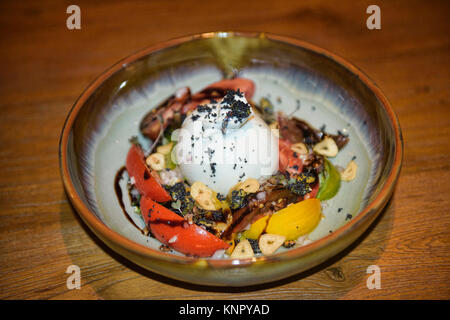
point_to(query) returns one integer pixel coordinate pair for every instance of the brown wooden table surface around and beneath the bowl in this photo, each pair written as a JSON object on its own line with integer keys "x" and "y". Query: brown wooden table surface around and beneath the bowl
{"x": 44, "y": 67}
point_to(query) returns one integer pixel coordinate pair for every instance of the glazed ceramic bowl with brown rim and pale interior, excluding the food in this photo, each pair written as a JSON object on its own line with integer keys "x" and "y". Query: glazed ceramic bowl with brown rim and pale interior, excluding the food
{"x": 289, "y": 72}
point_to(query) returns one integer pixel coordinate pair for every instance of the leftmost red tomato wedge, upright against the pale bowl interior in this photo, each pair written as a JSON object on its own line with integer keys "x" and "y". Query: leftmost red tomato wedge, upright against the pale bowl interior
{"x": 146, "y": 180}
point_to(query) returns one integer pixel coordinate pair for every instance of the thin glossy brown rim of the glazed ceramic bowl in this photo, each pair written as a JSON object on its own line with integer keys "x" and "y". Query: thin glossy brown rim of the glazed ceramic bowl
{"x": 368, "y": 213}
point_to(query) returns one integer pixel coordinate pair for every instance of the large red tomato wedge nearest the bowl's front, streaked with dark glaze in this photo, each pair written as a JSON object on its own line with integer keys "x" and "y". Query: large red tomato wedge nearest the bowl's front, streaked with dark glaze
{"x": 175, "y": 232}
